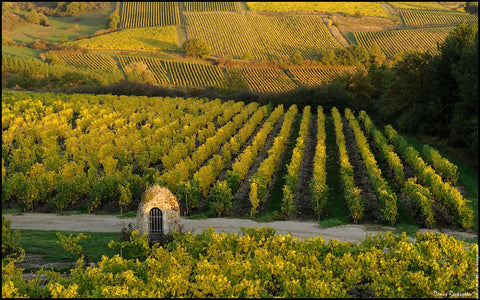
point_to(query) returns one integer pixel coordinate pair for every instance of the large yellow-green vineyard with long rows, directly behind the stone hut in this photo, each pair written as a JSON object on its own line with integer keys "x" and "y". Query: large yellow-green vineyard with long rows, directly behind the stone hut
{"x": 85, "y": 151}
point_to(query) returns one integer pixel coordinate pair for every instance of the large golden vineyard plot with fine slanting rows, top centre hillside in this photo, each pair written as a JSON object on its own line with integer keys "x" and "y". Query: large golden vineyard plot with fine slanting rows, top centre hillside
{"x": 261, "y": 37}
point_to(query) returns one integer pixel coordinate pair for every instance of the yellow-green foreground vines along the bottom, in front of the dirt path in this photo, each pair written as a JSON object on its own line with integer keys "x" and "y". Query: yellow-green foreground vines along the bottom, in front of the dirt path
{"x": 259, "y": 263}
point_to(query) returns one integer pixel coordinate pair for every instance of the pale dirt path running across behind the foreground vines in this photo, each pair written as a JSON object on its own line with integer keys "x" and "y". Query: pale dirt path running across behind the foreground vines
{"x": 109, "y": 223}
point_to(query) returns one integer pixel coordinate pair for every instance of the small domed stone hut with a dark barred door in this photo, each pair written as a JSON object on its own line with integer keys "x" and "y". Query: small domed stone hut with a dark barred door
{"x": 158, "y": 213}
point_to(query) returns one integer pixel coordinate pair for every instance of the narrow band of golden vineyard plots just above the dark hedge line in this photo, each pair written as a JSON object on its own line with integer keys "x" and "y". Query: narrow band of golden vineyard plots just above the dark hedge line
{"x": 178, "y": 73}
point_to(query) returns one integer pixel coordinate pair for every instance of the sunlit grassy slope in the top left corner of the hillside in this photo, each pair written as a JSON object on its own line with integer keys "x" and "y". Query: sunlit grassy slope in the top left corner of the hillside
{"x": 85, "y": 24}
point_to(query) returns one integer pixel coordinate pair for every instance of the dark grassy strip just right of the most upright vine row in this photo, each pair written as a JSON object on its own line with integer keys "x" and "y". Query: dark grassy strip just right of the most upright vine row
{"x": 336, "y": 213}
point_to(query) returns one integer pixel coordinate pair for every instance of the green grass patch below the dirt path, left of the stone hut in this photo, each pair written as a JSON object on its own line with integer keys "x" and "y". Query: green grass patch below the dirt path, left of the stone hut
{"x": 45, "y": 243}
